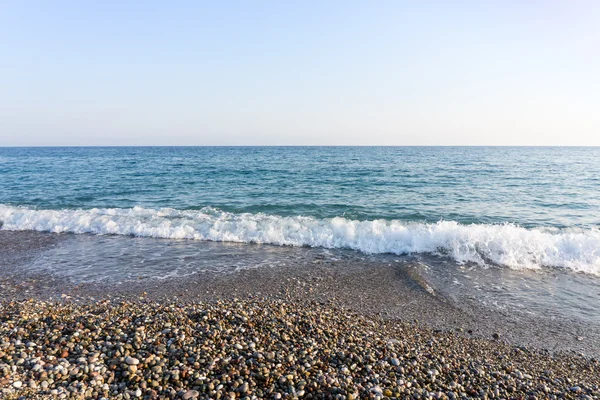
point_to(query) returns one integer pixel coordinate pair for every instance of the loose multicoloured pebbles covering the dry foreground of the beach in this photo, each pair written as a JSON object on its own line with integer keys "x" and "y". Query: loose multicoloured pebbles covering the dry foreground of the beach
{"x": 262, "y": 348}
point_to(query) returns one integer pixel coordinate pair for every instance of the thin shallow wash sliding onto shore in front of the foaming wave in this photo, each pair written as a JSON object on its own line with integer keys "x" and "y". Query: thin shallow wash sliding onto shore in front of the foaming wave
{"x": 120, "y": 260}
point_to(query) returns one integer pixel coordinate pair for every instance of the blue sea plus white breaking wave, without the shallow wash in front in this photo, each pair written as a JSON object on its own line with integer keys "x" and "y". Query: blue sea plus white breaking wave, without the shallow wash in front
{"x": 522, "y": 208}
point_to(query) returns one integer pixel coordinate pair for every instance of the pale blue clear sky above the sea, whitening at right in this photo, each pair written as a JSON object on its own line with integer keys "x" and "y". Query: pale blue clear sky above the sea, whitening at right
{"x": 299, "y": 72}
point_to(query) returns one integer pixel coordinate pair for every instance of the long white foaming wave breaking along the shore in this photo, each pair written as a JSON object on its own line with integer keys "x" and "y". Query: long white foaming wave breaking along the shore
{"x": 501, "y": 244}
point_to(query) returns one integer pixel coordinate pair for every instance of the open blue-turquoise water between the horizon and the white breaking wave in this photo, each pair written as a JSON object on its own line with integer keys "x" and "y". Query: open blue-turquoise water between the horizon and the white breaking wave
{"x": 552, "y": 187}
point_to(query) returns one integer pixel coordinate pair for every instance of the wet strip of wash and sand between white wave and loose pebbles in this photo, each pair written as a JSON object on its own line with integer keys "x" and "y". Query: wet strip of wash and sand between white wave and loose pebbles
{"x": 525, "y": 307}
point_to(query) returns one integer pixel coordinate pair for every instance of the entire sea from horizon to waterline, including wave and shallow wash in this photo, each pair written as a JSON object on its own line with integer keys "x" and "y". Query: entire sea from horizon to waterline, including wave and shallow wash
{"x": 515, "y": 228}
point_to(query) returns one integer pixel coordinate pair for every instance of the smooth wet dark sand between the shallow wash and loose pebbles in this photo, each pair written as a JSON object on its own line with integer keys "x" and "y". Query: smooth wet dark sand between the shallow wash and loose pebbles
{"x": 392, "y": 291}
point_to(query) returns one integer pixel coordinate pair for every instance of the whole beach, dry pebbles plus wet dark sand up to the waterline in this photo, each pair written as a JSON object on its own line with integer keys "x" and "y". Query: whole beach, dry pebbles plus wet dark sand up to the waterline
{"x": 319, "y": 330}
